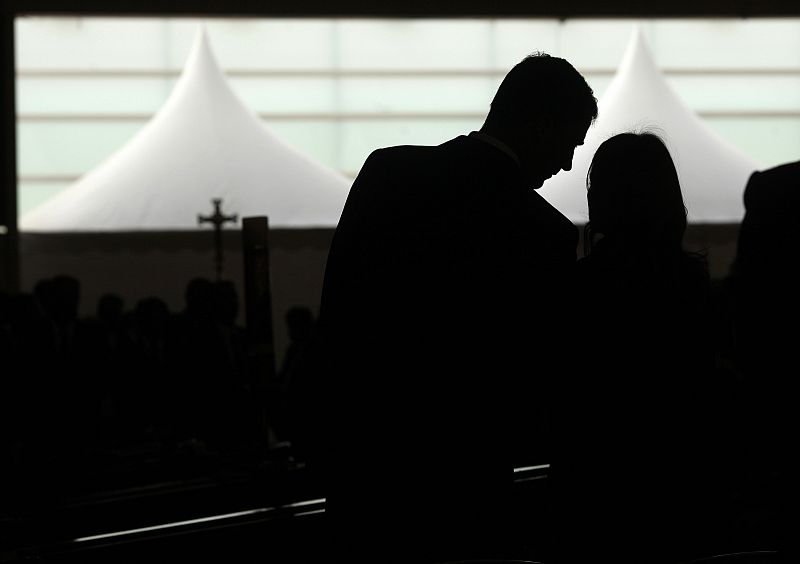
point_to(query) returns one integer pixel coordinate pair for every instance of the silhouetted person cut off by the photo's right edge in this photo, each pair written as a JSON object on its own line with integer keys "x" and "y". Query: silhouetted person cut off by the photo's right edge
{"x": 764, "y": 279}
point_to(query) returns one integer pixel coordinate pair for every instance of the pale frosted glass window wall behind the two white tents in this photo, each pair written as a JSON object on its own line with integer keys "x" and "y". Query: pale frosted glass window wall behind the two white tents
{"x": 337, "y": 89}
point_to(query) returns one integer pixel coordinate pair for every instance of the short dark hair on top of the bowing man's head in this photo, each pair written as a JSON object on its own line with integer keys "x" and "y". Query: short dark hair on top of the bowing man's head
{"x": 542, "y": 87}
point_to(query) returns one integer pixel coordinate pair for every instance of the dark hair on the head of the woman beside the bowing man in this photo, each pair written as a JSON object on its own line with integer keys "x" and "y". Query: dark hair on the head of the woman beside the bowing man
{"x": 634, "y": 194}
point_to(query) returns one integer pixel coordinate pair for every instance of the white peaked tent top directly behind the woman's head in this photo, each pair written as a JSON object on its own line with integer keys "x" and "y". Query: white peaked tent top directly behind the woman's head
{"x": 712, "y": 172}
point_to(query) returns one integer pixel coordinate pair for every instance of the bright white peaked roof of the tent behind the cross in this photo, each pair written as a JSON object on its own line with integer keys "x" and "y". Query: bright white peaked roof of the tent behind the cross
{"x": 204, "y": 143}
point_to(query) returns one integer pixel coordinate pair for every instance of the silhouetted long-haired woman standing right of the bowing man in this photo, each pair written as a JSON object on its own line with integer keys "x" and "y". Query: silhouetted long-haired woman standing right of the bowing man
{"x": 632, "y": 464}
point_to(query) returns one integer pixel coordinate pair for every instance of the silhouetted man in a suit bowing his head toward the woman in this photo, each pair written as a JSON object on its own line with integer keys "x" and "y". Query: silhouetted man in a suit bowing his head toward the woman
{"x": 440, "y": 315}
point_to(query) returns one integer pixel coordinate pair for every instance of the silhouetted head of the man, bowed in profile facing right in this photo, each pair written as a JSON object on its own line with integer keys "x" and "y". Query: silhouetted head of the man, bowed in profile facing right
{"x": 542, "y": 110}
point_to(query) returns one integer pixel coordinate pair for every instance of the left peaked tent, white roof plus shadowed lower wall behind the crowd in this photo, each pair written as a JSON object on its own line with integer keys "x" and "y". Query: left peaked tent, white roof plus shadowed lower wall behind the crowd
{"x": 130, "y": 226}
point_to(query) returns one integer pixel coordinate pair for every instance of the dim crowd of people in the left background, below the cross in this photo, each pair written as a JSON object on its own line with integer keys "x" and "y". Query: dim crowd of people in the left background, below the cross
{"x": 89, "y": 396}
